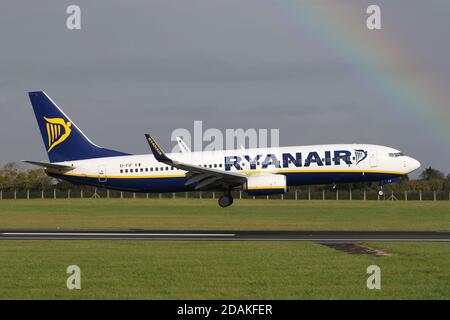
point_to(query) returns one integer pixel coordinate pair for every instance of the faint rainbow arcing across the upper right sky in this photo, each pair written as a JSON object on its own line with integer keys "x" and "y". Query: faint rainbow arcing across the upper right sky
{"x": 342, "y": 27}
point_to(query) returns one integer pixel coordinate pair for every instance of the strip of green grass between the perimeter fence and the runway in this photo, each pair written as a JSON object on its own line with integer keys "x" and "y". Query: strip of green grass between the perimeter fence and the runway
{"x": 243, "y": 215}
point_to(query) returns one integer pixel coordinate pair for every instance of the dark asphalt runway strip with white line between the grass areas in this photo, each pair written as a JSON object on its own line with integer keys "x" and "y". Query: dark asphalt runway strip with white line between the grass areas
{"x": 190, "y": 235}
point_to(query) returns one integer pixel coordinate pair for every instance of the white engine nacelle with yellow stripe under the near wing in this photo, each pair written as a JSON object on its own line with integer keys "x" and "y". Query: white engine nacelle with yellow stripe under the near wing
{"x": 265, "y": 184}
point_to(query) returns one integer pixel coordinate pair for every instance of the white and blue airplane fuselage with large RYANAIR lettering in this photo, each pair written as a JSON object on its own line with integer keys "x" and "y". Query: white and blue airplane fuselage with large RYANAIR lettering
{"x": 302, "y": 165}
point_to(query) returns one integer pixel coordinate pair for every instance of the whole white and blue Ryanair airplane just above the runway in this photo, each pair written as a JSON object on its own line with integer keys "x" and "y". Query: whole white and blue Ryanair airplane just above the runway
{"x": 259, "y": 171}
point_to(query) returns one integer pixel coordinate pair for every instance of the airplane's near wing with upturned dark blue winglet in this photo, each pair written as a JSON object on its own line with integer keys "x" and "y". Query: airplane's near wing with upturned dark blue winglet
{"x": 205, "y": 177}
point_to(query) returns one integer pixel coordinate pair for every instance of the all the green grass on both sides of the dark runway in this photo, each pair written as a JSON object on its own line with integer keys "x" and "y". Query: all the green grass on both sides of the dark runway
{"x": 216, "y": 270}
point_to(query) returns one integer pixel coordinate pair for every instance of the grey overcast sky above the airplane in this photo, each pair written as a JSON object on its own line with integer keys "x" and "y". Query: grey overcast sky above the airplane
{"x": 154, "y": 66}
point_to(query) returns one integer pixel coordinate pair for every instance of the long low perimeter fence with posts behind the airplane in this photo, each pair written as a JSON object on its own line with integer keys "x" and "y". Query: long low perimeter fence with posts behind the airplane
{"x": 369, "y": 194}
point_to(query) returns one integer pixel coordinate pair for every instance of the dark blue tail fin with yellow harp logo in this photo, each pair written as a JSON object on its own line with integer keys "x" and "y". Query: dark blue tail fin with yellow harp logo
{"x": 62, "y": 138}
